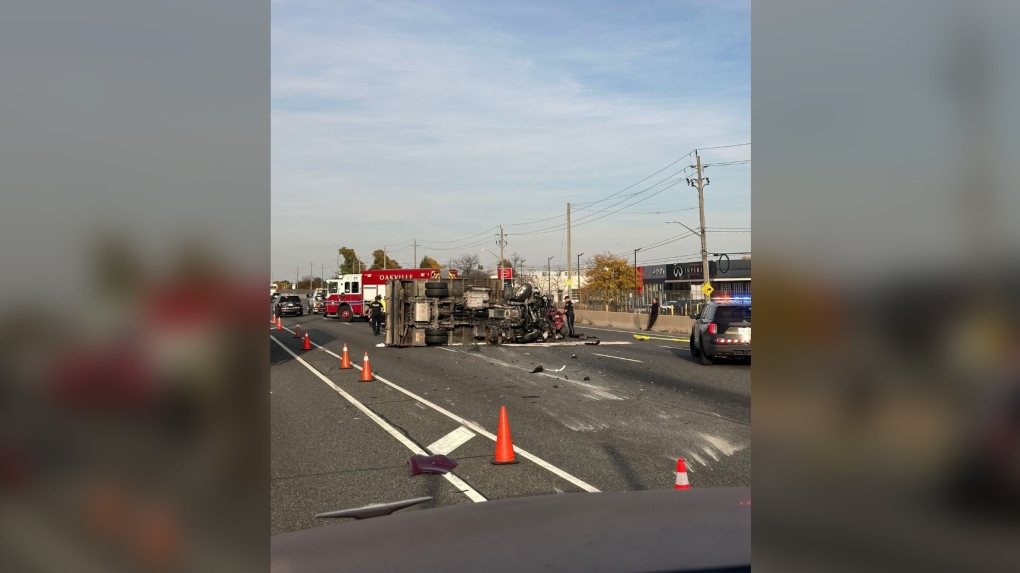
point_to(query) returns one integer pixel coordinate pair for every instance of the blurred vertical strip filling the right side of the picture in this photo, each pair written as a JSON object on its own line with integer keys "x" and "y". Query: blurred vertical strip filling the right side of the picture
{"x": 887, "y": 405}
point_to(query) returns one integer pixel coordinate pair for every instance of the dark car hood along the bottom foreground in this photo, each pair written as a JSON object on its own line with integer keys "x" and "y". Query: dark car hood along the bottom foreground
{"x": 653, "y": 531}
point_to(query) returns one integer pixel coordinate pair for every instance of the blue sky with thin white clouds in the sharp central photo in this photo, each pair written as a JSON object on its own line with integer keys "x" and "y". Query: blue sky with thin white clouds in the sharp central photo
{"x": 438, "y": 122}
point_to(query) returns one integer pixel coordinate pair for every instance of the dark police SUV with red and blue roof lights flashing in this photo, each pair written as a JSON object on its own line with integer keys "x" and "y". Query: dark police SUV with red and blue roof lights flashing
{"x": 722, "y": 331}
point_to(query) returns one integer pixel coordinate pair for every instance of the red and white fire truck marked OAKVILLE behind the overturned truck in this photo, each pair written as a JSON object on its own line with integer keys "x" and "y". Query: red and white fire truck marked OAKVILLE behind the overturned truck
{"x": 348, "y": 297}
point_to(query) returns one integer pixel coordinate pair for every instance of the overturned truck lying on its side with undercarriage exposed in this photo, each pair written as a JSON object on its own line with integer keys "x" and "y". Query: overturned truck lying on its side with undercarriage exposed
{"x": 448, "y": 311}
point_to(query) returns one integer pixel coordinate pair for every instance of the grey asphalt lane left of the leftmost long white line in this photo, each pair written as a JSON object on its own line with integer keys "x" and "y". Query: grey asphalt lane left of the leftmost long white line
{"x": 327, "y": 455}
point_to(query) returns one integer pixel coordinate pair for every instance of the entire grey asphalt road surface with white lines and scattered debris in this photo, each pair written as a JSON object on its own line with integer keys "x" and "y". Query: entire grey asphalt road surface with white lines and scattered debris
{"x": 609, "y": 418}
